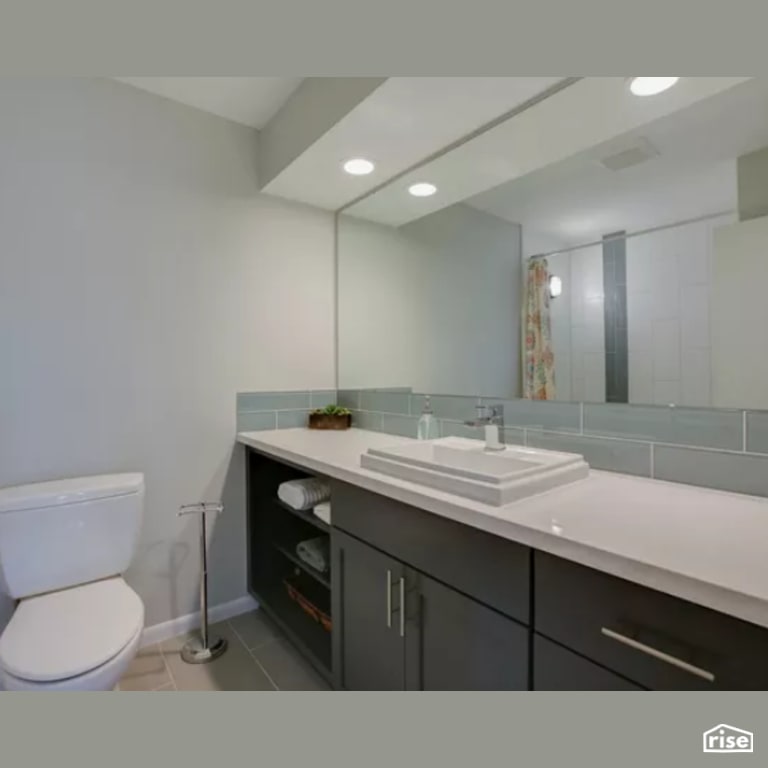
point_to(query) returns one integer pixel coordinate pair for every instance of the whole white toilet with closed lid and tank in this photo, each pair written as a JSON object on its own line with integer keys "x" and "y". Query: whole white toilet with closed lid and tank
{"x": 63, "y": 547}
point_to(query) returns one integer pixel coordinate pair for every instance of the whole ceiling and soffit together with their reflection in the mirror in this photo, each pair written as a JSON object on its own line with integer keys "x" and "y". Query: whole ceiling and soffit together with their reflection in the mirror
{"x": 540, "y": 167}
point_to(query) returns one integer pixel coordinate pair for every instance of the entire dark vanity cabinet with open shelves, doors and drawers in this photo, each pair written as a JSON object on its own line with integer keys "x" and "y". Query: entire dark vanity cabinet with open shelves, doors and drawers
{"x": 418, "y": 601}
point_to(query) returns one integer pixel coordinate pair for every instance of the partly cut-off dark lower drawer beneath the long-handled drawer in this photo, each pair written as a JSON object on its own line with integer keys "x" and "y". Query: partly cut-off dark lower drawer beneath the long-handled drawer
{"x": 557, "y": 669}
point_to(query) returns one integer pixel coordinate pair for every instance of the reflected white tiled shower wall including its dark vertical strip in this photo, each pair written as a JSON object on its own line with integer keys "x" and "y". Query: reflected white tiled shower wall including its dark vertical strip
{"x": 633, "y": 321}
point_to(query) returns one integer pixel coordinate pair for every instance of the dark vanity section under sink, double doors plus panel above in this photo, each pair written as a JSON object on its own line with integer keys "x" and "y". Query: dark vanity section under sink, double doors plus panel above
{"x": 446, "y": 604}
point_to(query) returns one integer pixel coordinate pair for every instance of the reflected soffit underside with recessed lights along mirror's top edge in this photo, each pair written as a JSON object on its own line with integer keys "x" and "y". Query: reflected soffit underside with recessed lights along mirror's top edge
{"x": 585, "y": 115}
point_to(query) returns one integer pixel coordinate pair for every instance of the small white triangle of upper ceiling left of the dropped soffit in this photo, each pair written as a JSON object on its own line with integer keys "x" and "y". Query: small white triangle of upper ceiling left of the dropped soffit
{"x": 252, "y": 101}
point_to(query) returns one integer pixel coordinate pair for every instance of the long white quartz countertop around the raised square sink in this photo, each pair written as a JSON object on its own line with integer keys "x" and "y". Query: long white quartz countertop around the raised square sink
{"x": 706, "y": 546}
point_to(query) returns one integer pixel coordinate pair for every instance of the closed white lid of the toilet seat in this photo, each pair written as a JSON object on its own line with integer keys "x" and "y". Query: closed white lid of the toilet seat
{"x": 67, "y": 633}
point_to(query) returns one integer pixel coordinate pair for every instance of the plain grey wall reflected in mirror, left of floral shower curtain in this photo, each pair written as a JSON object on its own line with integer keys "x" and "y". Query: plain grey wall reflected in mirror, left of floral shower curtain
{"x": 434, "y": 305}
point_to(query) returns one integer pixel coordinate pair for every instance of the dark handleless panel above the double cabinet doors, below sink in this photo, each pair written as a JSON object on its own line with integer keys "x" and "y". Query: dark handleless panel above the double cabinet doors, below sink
{"x": 493, "y": 570}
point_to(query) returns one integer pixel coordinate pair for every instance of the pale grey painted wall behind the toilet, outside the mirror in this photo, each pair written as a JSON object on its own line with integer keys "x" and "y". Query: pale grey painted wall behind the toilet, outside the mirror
{"x": 143, "y": 282}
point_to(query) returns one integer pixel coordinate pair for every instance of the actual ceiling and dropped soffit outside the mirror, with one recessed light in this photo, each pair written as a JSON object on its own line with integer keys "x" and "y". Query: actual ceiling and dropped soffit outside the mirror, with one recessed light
{"x": 400, "y": 122}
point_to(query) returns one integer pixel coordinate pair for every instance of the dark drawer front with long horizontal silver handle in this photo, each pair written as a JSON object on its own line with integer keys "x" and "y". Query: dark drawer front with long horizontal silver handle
{"x": 659, "y": 641}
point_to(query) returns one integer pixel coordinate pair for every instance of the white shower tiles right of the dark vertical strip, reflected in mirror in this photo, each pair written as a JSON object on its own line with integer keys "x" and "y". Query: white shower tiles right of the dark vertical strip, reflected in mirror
{"x": 668, "y": 314}
